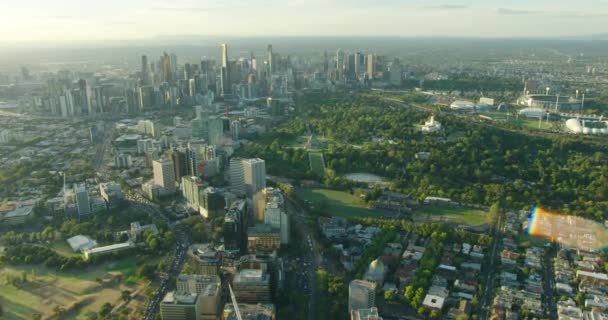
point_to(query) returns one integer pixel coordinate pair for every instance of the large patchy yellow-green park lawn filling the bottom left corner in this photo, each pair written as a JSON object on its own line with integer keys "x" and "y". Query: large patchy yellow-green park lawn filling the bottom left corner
{"x": 78, "y": 291}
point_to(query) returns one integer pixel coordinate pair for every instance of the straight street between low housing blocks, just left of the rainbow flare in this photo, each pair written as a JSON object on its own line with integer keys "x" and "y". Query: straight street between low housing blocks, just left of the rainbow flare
{"x": 490, "y": 271}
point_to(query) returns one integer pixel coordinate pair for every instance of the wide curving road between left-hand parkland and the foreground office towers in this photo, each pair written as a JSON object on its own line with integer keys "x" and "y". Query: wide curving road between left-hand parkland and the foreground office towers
{"x": 182, "y": 242}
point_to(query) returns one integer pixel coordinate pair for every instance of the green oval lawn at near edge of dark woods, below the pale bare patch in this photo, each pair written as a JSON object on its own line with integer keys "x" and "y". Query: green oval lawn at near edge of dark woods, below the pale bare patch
{"x": 337, "y": 203}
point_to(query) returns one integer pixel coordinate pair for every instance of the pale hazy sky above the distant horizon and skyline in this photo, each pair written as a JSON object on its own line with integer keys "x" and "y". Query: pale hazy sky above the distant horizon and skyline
{"x": 24, "y": 21}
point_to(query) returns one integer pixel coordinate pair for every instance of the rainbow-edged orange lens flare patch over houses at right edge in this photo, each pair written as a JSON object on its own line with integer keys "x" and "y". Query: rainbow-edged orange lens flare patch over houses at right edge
{"x": 567, "y": 230}
